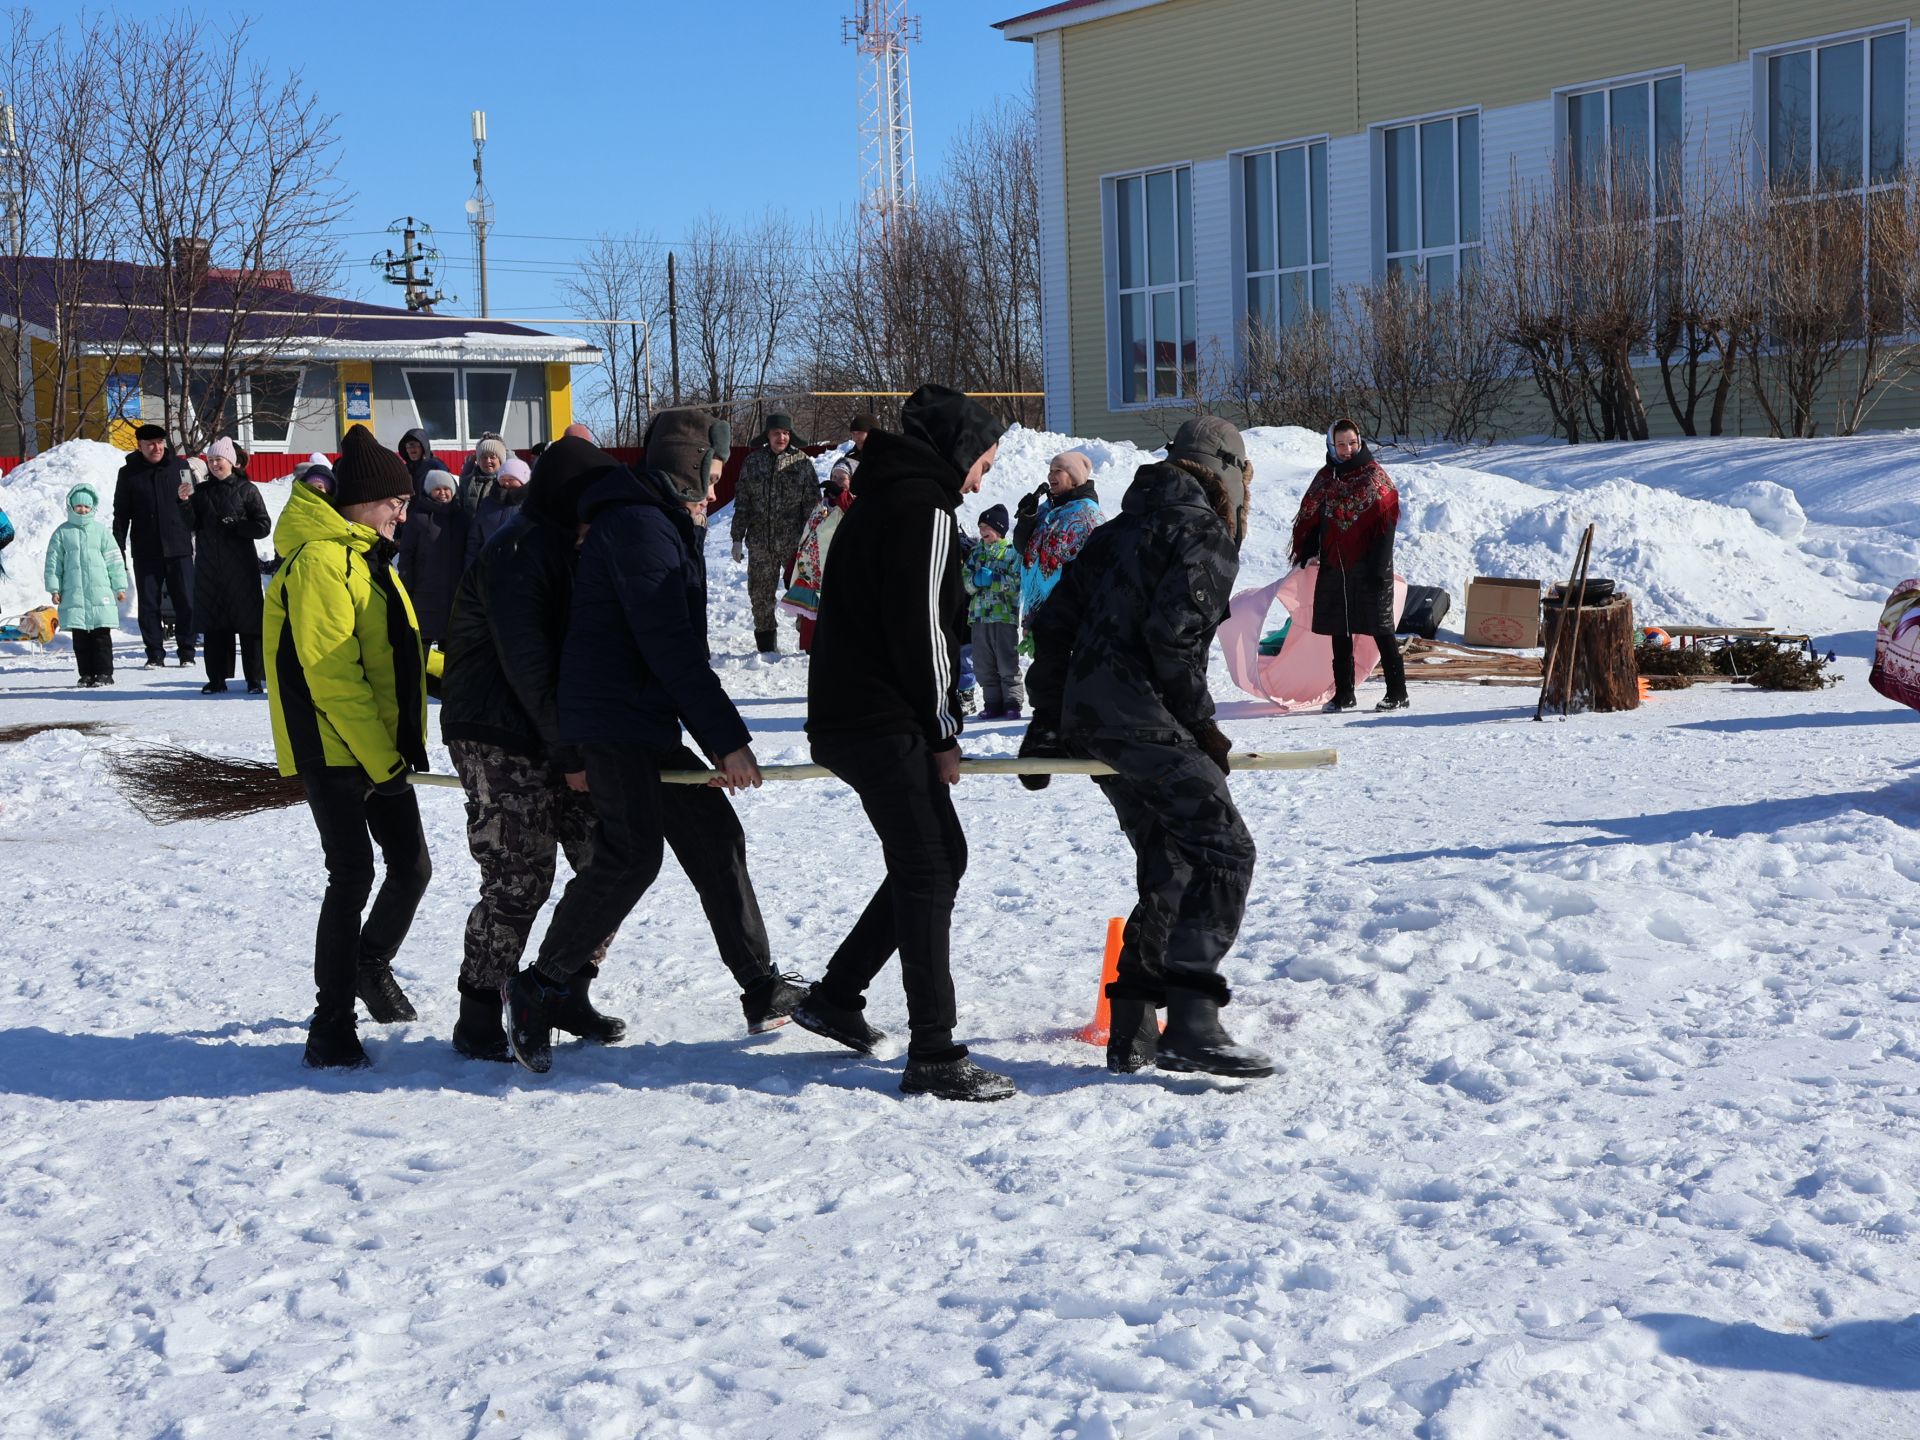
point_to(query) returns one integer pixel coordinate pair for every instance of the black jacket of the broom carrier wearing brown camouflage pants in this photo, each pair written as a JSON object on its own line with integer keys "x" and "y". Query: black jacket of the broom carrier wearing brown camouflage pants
{"x": 502, "y": 683}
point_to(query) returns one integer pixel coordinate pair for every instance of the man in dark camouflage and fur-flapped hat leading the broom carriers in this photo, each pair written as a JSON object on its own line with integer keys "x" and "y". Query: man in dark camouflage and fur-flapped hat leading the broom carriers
{"x": 1120, "y": 677}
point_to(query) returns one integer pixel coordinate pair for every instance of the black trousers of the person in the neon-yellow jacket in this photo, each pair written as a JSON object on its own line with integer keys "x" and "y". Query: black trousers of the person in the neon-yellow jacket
{"x": 352, "y": 821}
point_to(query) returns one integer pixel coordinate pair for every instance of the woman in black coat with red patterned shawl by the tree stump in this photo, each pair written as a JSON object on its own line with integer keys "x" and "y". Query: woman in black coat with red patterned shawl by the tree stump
{"x": 1347, "y": 523}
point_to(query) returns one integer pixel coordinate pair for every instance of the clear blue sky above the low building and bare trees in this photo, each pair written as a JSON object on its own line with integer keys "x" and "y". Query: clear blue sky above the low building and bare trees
{"x": 608, "y": 118}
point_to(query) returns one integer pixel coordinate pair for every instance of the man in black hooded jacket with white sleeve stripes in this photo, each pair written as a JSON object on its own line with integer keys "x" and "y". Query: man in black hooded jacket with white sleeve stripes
{"x": 884, "y": 715}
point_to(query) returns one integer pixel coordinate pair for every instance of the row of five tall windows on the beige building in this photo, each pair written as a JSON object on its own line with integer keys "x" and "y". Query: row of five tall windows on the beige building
{"x": 1836, "y": 124}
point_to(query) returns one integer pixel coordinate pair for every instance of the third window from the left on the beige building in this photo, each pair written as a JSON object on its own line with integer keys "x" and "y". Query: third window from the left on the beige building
{"x": 1431, "y": 176}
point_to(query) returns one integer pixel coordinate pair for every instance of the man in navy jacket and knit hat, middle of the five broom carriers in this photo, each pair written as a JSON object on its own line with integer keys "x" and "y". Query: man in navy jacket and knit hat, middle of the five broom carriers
{"x": 633, "y": 671}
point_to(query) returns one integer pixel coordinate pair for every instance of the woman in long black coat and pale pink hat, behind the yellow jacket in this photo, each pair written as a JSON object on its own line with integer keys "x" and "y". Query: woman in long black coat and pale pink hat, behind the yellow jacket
{"x": 229, "y": 517}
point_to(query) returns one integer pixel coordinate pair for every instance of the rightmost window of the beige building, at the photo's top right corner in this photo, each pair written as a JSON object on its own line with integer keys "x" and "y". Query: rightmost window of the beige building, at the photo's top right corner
{"x": 1836, "y": 116}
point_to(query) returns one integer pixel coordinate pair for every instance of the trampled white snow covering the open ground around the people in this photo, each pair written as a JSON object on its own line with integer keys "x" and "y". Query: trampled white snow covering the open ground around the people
{"x": 1598, "y": 1116}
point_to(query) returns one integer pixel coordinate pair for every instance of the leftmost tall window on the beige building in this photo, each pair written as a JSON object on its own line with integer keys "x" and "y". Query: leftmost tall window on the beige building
{"x": 1157, "y": 350}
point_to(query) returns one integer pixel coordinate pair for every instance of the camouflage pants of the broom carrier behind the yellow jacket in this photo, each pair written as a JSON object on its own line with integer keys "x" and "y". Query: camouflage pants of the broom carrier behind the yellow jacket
{"x": 519, "y": 815}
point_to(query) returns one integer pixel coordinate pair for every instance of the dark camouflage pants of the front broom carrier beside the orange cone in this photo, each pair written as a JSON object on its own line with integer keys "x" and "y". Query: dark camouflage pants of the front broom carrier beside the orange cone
{"x": 1193, "y": 863}
